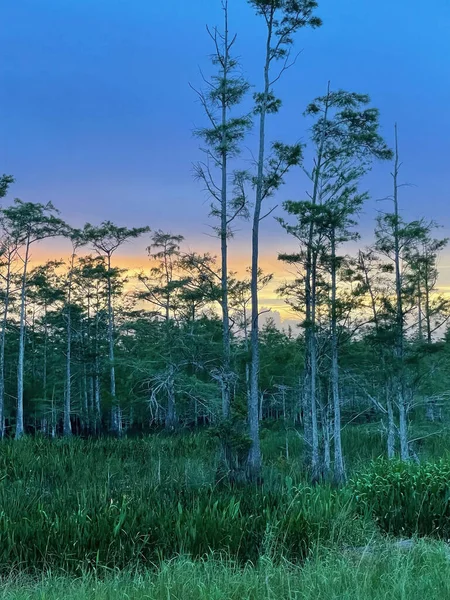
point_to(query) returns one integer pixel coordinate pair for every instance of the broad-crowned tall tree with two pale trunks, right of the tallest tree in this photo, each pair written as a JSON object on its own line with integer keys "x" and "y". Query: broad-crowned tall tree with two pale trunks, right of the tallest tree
{"x": 346, "y": 140}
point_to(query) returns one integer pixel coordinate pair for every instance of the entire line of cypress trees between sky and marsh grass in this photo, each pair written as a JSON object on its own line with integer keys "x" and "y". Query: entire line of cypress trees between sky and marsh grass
{"x": 84, "y": 349}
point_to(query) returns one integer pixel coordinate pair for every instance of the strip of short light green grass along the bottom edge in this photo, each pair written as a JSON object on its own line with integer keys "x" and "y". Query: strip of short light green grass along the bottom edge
{"x": 391, "y": 574}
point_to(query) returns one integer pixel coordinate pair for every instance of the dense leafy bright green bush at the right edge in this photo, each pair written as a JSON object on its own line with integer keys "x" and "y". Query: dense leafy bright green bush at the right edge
{"x": 406, "y": 498}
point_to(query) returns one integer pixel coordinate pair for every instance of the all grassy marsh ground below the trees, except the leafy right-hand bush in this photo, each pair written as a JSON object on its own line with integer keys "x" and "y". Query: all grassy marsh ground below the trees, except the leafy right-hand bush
{"x": 144, "y": 519}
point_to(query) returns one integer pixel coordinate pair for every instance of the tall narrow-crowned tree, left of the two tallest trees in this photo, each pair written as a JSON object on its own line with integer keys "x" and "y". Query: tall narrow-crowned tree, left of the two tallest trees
{"x": 226, "y": 90}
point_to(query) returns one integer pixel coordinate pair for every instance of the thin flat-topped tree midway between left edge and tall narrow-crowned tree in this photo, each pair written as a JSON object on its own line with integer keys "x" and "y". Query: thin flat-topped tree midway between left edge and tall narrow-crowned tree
{"x": 106, "y": 239}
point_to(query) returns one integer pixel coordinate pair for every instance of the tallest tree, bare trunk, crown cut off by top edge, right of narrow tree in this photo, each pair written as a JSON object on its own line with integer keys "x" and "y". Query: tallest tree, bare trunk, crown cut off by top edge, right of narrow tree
{"x": 282, "y": 18}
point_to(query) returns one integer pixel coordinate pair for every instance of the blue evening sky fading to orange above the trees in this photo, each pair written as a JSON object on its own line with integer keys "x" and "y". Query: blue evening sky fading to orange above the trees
{"x": 97, "y": 115}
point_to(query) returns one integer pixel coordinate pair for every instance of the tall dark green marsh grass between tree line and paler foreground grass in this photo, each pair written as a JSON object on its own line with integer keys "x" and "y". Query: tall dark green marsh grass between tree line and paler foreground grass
{"x": 96, "y": 506}
